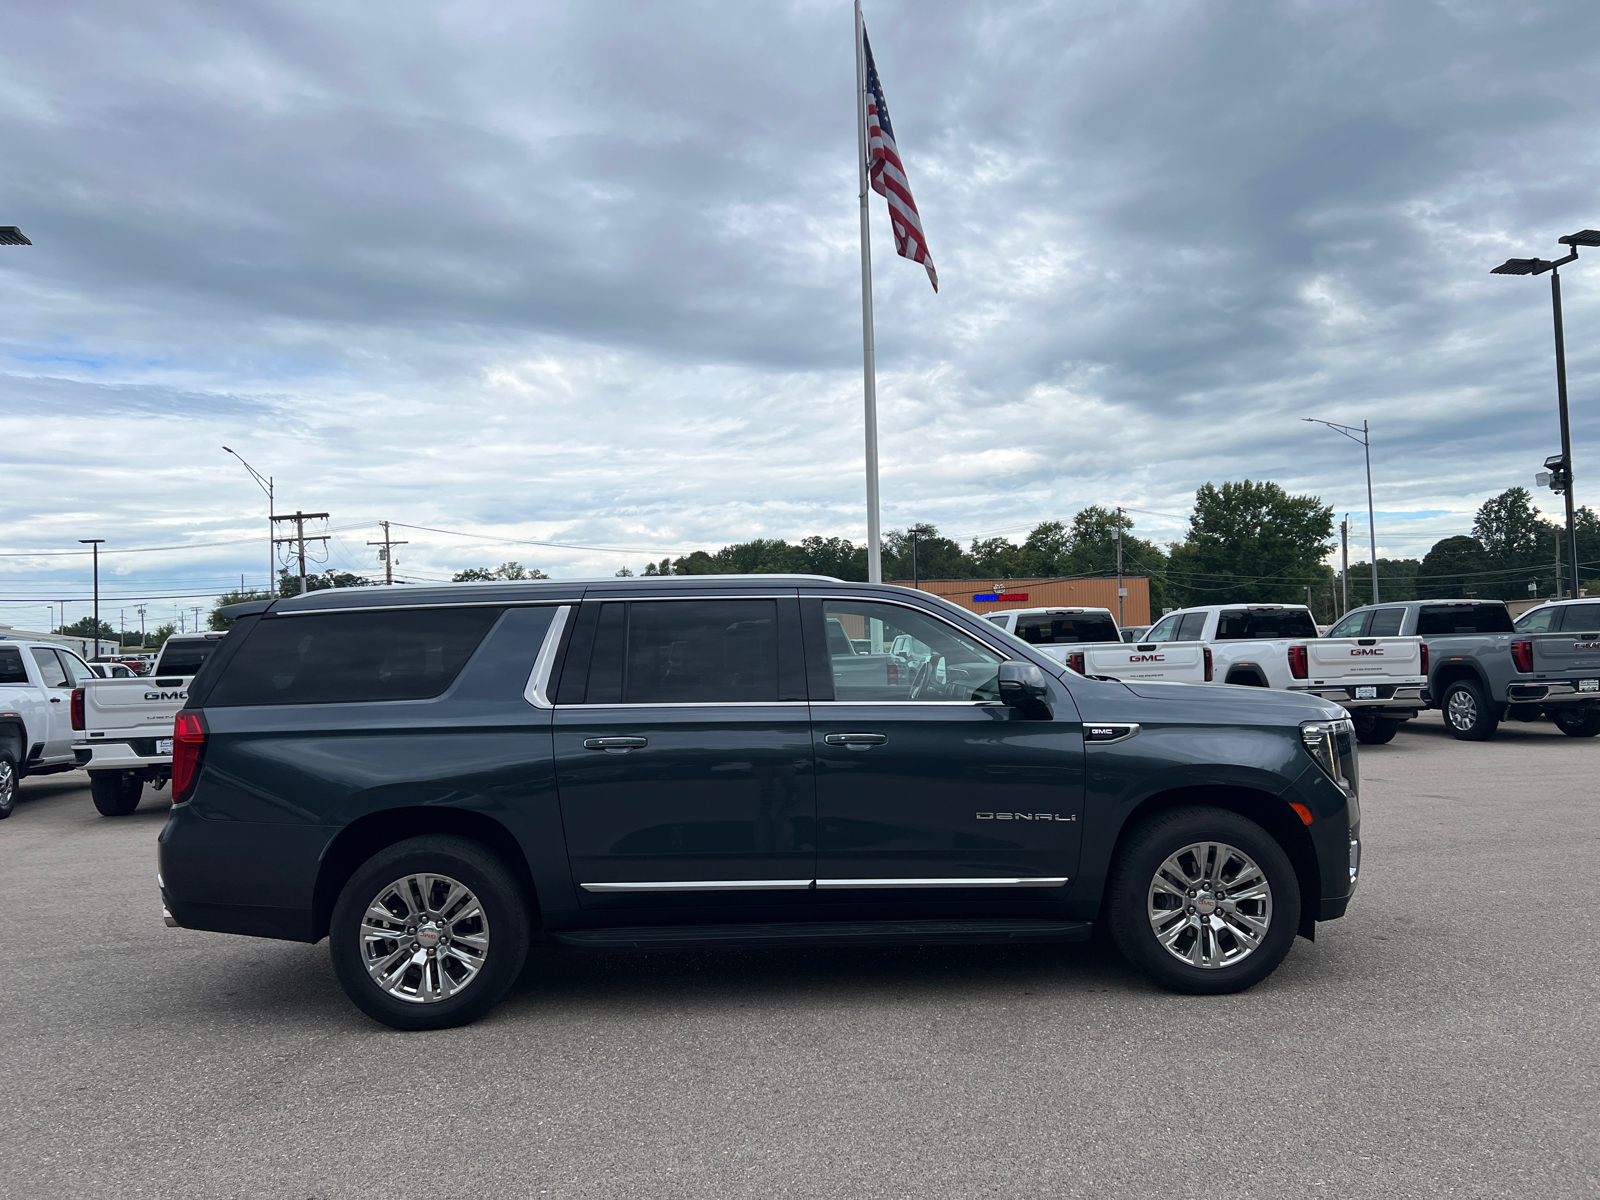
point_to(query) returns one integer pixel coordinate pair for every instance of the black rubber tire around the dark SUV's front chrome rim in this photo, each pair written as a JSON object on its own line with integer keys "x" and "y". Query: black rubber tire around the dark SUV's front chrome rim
{"x": 1132, "y": 879}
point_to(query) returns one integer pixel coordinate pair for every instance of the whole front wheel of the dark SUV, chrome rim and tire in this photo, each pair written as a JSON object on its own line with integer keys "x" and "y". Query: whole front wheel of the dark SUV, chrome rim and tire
{"x": 1204, "y": 902}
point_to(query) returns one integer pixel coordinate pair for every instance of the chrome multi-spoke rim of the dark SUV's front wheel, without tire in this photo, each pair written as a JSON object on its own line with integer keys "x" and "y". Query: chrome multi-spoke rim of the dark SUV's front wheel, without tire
{"x": 1210, "y": 905}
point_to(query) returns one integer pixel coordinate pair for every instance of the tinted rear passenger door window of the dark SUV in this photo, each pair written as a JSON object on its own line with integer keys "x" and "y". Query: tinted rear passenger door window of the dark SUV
{"x": 687, "y": 652}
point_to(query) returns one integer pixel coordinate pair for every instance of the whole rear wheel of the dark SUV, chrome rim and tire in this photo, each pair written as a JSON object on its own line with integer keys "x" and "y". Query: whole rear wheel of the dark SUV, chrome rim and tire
{"x": 430, "y": 934}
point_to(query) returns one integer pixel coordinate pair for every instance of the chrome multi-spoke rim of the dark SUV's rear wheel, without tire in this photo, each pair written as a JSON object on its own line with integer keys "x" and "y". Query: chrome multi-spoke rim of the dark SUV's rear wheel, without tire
{"x": 425, "y": 938}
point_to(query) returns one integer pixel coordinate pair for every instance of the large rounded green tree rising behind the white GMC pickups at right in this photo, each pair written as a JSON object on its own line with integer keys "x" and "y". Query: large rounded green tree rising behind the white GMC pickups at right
{"x": 1252, "y": 542}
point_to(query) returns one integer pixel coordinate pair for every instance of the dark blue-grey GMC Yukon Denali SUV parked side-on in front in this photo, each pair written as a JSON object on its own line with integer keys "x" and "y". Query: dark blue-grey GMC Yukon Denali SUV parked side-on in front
{"x": 433, "y": 778}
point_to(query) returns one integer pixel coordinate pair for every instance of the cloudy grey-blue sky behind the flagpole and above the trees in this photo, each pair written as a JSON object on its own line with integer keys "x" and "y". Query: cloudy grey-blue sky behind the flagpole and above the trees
{"x": 588, "y": 273}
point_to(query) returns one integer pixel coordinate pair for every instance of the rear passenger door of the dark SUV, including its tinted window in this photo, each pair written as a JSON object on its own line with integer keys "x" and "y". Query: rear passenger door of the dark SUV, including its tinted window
{"x": 682, "y": 753}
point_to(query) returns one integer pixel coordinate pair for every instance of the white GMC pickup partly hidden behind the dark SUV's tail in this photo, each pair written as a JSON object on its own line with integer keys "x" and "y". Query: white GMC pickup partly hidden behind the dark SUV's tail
{"x": 126, "y": 726}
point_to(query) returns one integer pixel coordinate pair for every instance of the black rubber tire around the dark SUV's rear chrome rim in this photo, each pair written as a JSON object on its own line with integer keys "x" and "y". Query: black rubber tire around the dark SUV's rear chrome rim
{"x": 495, "y": 889}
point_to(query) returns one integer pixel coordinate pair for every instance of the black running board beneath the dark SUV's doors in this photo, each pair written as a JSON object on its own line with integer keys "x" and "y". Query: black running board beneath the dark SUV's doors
{"x": 828, "y": 934}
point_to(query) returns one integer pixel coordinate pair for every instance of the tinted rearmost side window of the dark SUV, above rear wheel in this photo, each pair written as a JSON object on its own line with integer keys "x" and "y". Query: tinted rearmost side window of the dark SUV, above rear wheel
{"x": 346, "y": 658}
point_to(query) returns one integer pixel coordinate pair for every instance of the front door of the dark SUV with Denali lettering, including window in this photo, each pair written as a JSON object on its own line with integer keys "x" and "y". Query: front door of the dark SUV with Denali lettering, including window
{"x": 929, "y": 786}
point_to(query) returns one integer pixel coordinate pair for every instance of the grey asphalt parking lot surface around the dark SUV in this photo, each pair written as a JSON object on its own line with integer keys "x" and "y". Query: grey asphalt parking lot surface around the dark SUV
{"x": 1441, "y": 1041}
